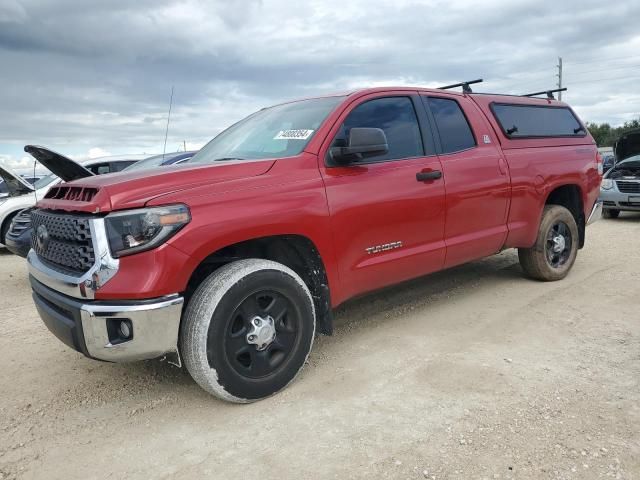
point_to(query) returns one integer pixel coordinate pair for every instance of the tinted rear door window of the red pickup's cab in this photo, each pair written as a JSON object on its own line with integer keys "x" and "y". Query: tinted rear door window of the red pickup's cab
{"x": 453, "y": 128}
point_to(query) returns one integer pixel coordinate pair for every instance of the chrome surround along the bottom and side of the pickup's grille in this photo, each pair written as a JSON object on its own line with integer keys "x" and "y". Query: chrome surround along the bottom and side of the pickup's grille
{"x": 86, "y": 285}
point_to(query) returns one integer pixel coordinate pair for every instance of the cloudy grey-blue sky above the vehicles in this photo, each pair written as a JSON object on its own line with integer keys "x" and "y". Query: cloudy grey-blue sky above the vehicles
{"x": 94, "y": 78}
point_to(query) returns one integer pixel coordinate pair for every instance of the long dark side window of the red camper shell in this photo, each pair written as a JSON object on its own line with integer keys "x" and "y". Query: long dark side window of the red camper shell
{"x": 526, "y": 121}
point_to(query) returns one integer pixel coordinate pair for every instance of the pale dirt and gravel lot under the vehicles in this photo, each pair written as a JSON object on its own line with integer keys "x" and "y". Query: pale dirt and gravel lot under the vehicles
{"x": 470, "y": 373}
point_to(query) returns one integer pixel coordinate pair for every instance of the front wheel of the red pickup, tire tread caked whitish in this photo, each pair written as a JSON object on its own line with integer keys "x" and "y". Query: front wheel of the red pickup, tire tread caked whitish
{"x": 219, "y": 322}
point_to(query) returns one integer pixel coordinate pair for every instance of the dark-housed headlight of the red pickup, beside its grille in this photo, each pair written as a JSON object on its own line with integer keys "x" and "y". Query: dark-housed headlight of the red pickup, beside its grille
{"x": 134, "y": 231}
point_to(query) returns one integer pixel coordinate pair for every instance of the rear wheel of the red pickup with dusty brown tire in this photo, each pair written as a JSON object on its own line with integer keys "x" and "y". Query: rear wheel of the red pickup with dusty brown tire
{"x": 542, "y": 261}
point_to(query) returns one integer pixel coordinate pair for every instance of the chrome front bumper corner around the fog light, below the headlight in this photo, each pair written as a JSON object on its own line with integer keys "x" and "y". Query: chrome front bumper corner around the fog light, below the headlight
{"x": 155, "y": 329}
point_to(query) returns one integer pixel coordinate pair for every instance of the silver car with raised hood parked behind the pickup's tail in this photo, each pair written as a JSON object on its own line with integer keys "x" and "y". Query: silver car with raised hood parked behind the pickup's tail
{"x": 620, "y": 189}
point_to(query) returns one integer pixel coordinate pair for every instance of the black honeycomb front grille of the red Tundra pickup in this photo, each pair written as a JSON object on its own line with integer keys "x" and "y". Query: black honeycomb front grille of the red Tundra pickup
{"x": 62, "y": 241}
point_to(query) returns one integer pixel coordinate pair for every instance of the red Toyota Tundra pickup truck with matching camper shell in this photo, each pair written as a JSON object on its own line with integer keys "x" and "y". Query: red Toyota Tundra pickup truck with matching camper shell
{"x": 232, "y": 262}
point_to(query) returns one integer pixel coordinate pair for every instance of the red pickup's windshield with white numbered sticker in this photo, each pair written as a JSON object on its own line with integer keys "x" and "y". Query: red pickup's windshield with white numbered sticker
{"x": 280, "y": 131}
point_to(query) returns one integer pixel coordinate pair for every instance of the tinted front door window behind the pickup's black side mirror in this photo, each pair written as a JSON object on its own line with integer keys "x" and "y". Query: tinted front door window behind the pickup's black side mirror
{"x": 396, "y": 117}
